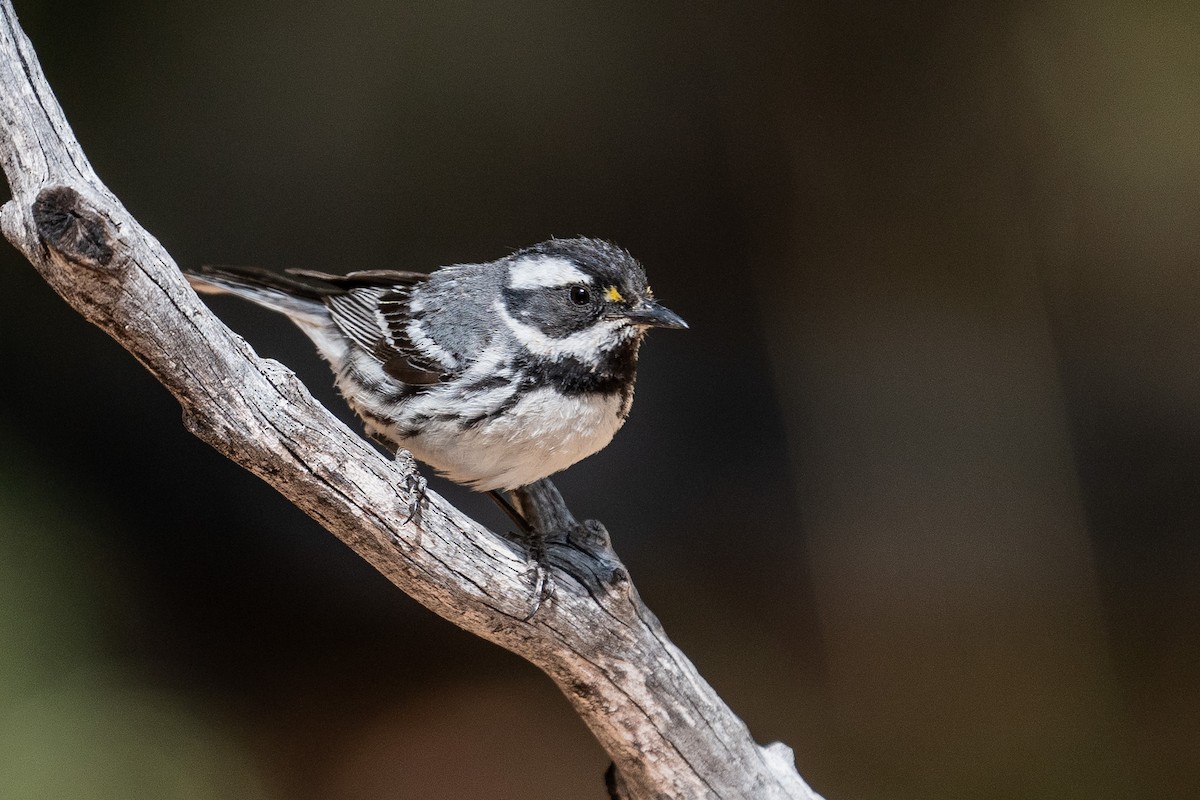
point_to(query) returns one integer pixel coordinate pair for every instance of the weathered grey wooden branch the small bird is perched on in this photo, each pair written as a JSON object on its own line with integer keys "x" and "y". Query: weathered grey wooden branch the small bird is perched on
{"x": 669, "y": 735}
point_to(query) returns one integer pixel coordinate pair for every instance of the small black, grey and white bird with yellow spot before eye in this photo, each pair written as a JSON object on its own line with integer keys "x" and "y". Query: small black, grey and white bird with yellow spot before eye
{"x": 496, "y": 375}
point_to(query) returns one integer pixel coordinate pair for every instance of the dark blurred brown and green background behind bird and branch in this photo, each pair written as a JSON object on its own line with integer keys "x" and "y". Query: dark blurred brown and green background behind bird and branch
{"x": 919, "y": 491}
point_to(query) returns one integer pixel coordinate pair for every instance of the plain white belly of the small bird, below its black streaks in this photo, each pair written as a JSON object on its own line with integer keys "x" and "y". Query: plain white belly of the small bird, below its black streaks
{"x": 544, "y": 434}
